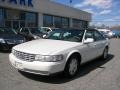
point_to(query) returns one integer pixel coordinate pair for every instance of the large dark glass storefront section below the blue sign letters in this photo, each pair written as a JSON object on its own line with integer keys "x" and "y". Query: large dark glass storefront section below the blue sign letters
{"x": 17, "y": 19}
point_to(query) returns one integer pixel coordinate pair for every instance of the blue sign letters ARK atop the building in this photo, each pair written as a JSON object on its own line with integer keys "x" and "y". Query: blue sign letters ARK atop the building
{"x": 21, "y": 2}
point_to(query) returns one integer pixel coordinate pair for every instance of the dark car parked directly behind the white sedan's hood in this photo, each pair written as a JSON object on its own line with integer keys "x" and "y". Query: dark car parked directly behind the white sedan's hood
{"x": 31, "y": 33}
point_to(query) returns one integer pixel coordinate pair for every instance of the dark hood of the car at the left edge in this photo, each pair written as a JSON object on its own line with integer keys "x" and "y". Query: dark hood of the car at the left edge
{"x": 11, "y": 36}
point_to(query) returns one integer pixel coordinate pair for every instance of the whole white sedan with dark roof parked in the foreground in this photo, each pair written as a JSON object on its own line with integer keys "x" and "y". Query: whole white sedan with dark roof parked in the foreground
{"x": 63, "y": 50}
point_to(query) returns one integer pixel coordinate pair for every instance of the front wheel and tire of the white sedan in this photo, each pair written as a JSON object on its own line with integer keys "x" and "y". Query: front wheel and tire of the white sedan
{"x": 72, "y": 67}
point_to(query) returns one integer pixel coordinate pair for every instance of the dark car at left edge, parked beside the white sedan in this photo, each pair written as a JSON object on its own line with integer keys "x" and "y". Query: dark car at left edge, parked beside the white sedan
{"x": 8, "y": 38}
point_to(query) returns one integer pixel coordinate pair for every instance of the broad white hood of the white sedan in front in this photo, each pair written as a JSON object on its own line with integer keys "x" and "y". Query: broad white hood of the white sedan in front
{"x": 45, "y": 46}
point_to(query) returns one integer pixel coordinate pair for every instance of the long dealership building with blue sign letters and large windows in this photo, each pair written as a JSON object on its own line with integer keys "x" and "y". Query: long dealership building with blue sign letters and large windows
{"x": 34, "y": 13}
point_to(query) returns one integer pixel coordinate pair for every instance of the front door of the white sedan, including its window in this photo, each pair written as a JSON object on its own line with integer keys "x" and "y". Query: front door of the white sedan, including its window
{"x": 89, "y": 48}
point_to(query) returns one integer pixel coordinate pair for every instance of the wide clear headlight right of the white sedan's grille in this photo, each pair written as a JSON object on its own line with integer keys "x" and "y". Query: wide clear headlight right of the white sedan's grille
{"x": 49, "y": 58}
